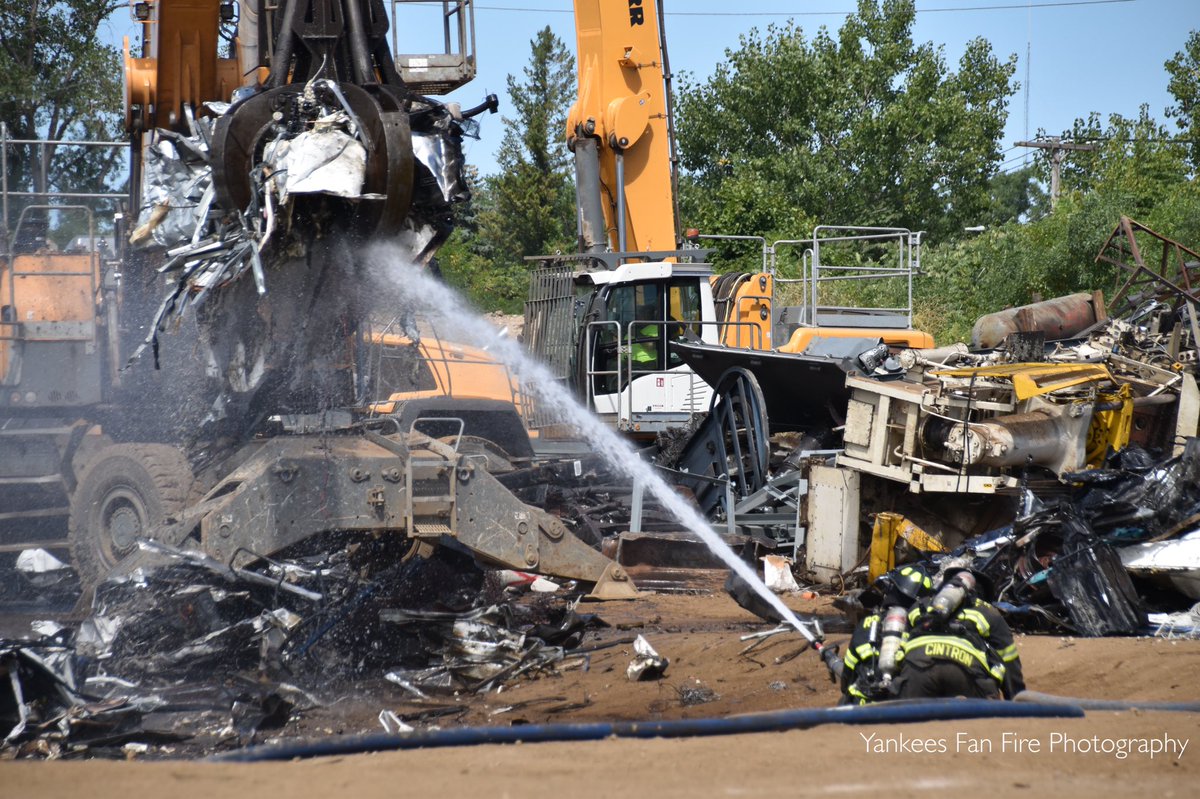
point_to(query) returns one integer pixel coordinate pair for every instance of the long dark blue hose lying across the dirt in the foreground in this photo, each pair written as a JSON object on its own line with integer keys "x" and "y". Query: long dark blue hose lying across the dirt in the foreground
{"x": 902, "y": 712}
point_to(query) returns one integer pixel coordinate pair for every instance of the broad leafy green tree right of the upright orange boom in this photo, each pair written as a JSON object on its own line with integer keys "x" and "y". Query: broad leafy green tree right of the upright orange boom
{"x": 867, "y": 128}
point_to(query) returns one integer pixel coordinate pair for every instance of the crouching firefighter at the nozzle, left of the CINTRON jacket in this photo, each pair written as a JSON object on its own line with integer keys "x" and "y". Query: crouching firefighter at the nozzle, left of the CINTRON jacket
{"x": 875, "y": 650}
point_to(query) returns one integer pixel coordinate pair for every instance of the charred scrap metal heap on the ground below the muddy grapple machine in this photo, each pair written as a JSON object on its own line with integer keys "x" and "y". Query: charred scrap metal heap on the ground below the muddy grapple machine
{"x": 191, "y": 657}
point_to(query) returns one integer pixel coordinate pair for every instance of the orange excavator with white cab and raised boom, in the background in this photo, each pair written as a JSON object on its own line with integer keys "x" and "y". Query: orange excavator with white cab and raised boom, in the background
{"x": 640, "y": 325}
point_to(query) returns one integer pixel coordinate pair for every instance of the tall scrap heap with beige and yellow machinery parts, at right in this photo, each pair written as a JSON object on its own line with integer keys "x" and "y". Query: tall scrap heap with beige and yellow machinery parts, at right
{"x": 1057, "y": 454}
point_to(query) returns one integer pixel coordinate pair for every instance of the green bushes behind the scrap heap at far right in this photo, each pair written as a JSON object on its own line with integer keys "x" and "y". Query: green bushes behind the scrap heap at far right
{"x": 1137, "y": 172}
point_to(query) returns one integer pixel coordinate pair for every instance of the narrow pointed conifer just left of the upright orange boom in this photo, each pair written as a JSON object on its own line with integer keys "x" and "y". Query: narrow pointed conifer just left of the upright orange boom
{"x": 532, "y": 201}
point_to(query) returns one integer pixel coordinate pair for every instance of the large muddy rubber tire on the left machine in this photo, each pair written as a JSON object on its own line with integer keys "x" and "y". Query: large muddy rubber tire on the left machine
{"x": 145, "y": 483}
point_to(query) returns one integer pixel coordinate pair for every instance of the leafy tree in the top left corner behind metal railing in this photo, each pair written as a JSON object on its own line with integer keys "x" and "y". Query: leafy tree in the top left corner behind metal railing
{"x": 58, "y": 81}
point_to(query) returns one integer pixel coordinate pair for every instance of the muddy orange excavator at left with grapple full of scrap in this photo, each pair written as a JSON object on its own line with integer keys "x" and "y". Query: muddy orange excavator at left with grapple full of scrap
{"x": 208, "y": 388}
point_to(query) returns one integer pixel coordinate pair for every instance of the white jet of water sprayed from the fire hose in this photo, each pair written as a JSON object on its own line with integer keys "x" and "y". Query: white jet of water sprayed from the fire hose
{"x": 427, "y": 298}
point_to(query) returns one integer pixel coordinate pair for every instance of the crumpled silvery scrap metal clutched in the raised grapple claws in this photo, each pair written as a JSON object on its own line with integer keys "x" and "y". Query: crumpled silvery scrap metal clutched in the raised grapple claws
{"x": 315, "y": 146}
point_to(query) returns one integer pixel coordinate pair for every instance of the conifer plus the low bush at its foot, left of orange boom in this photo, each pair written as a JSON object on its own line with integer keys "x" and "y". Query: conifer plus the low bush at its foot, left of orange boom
{"x": 529, "y": 209}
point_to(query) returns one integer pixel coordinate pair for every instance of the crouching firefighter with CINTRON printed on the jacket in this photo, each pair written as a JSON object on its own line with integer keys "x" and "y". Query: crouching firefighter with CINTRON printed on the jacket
{"x": 959, "y": 645}
